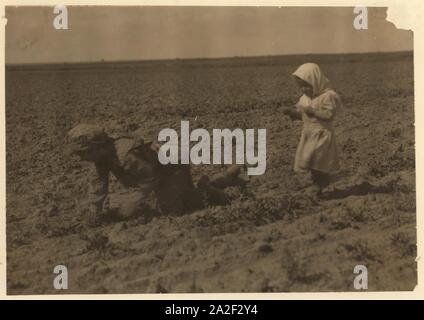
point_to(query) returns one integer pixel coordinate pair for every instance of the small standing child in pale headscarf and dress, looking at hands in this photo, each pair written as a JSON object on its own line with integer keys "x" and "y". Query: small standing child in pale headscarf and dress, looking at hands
{"x": 317, "y": 150}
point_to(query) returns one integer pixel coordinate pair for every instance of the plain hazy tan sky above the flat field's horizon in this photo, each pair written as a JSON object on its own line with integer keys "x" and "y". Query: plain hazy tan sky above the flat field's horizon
{"x": 143, "y": 33}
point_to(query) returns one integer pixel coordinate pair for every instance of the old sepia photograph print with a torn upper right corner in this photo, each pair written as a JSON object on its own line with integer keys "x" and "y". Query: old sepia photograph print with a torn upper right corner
{"x": 208, "y": 149}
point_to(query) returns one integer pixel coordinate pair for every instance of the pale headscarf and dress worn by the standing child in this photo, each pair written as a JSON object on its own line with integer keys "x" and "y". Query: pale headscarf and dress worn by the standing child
{"x": 317, "y": 148}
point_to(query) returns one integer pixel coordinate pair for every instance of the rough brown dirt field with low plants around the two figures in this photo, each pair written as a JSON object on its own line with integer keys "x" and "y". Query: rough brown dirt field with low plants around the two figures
{"x": 272, "y": 238}
